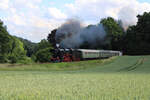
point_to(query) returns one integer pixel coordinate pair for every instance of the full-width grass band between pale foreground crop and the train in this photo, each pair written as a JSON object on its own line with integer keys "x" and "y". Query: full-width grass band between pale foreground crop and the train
{"x": 115, "y": 64}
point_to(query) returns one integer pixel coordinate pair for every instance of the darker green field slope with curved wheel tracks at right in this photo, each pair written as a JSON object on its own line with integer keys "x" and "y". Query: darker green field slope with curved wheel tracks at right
{"x": 126, "y": 64}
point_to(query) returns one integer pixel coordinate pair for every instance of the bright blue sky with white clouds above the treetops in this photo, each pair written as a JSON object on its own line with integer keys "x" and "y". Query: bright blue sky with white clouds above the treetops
{"x": 34, "y": 19}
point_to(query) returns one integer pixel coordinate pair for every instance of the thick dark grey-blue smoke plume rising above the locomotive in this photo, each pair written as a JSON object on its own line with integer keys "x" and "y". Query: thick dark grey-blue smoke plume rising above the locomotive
{"x": 72, "y": 34}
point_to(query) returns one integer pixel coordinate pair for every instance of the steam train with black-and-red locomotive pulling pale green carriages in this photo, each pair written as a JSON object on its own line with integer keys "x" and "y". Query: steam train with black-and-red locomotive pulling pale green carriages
{"x": 69, "y": 55}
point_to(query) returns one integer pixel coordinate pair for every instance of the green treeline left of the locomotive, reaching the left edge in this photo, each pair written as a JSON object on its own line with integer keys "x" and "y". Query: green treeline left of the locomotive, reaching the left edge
{"x": 18, "y": 50}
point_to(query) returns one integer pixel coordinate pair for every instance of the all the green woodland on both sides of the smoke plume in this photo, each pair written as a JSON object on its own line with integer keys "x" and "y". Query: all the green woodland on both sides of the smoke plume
{"x": 134, "y": 40}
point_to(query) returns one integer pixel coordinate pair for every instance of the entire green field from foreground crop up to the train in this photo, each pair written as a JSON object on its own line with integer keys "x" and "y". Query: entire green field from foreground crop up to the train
{"x": 118, "y": 78}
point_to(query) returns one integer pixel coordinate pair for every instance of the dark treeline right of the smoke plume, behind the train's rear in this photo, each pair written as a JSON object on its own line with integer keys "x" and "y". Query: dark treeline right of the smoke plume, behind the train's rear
{"x": 133, "y": 41}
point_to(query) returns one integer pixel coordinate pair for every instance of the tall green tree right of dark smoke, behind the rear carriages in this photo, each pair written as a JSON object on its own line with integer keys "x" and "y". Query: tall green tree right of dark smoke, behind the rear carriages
{"x": 114, "y": 33}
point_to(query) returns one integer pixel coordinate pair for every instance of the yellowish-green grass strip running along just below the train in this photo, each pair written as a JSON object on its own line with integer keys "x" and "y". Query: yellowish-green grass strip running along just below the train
{"x": 71, "y": 66}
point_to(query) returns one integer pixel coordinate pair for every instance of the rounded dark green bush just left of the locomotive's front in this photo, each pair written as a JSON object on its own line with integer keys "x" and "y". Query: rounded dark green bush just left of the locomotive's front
{"x": 43, "y": 55}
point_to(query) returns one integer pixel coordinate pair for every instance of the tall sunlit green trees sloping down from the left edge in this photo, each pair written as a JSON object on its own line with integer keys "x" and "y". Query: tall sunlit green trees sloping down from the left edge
{"x": 11, "y": 48}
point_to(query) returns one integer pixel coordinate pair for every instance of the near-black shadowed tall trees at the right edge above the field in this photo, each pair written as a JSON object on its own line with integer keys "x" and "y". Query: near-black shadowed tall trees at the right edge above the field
{"x": 138, "y": 36}
